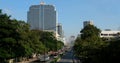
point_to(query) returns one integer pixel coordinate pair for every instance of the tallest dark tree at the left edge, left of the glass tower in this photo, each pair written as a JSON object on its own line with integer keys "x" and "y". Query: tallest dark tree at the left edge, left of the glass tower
{"x": 13, "y": 35}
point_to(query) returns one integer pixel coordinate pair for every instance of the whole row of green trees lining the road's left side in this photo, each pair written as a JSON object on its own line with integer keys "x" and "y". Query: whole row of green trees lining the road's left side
{"x": 17, "y": 40}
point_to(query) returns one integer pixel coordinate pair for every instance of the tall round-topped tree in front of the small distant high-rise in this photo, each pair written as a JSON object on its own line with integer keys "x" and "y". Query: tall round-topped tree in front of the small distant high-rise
{"x": 89, "y": 44}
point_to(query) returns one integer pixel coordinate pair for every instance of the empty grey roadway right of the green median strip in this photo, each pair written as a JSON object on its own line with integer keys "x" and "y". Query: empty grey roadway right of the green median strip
{"x": 69, "y": 58}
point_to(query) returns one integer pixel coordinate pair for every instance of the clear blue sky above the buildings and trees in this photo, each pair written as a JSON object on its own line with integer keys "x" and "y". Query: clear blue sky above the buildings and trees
{"x": 71, "y": 13}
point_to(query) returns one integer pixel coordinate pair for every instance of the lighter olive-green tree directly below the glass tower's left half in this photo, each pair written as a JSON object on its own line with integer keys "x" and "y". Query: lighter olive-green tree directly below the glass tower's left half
{"x": 37, "y": 45}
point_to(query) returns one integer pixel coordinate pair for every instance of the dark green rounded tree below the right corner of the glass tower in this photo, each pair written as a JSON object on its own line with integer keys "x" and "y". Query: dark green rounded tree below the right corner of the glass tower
{"x": 49, "y": 41}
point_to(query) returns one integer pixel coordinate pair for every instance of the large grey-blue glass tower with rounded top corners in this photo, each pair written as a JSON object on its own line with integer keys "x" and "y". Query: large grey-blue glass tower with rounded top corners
{"x": 42, "y": 17}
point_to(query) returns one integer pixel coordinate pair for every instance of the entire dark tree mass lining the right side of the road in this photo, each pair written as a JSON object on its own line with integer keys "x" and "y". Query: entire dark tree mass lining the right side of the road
{"x": 90, "y": 48}
